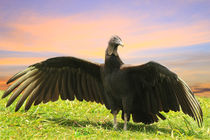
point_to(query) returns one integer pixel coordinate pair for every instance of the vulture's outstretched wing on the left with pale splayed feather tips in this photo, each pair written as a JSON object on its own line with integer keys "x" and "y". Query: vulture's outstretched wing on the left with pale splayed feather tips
{"x": 67, "y": 77}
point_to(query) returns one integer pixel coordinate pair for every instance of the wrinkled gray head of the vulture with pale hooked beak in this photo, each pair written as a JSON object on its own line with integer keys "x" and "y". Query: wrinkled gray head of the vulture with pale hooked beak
{"x": 114, "y": 42}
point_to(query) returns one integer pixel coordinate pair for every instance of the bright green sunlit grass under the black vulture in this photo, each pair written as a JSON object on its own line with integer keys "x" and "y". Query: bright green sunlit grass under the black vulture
{"x": 83, "y": 120}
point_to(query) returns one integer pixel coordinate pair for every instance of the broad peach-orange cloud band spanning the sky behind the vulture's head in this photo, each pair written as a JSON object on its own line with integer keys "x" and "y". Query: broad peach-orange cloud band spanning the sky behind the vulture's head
{"x": 77, "y": 34}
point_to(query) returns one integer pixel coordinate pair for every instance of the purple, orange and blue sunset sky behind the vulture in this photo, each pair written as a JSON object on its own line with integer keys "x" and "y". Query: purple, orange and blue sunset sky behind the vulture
{"x": 173, "y": 33}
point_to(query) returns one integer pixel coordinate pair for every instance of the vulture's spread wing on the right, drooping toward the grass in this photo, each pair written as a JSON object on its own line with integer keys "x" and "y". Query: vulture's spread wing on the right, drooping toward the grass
{"x": 158, "y": 89}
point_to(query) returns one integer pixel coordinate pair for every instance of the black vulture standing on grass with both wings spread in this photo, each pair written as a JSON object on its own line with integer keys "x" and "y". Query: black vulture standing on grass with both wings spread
{"x": 141, "y": 91}
